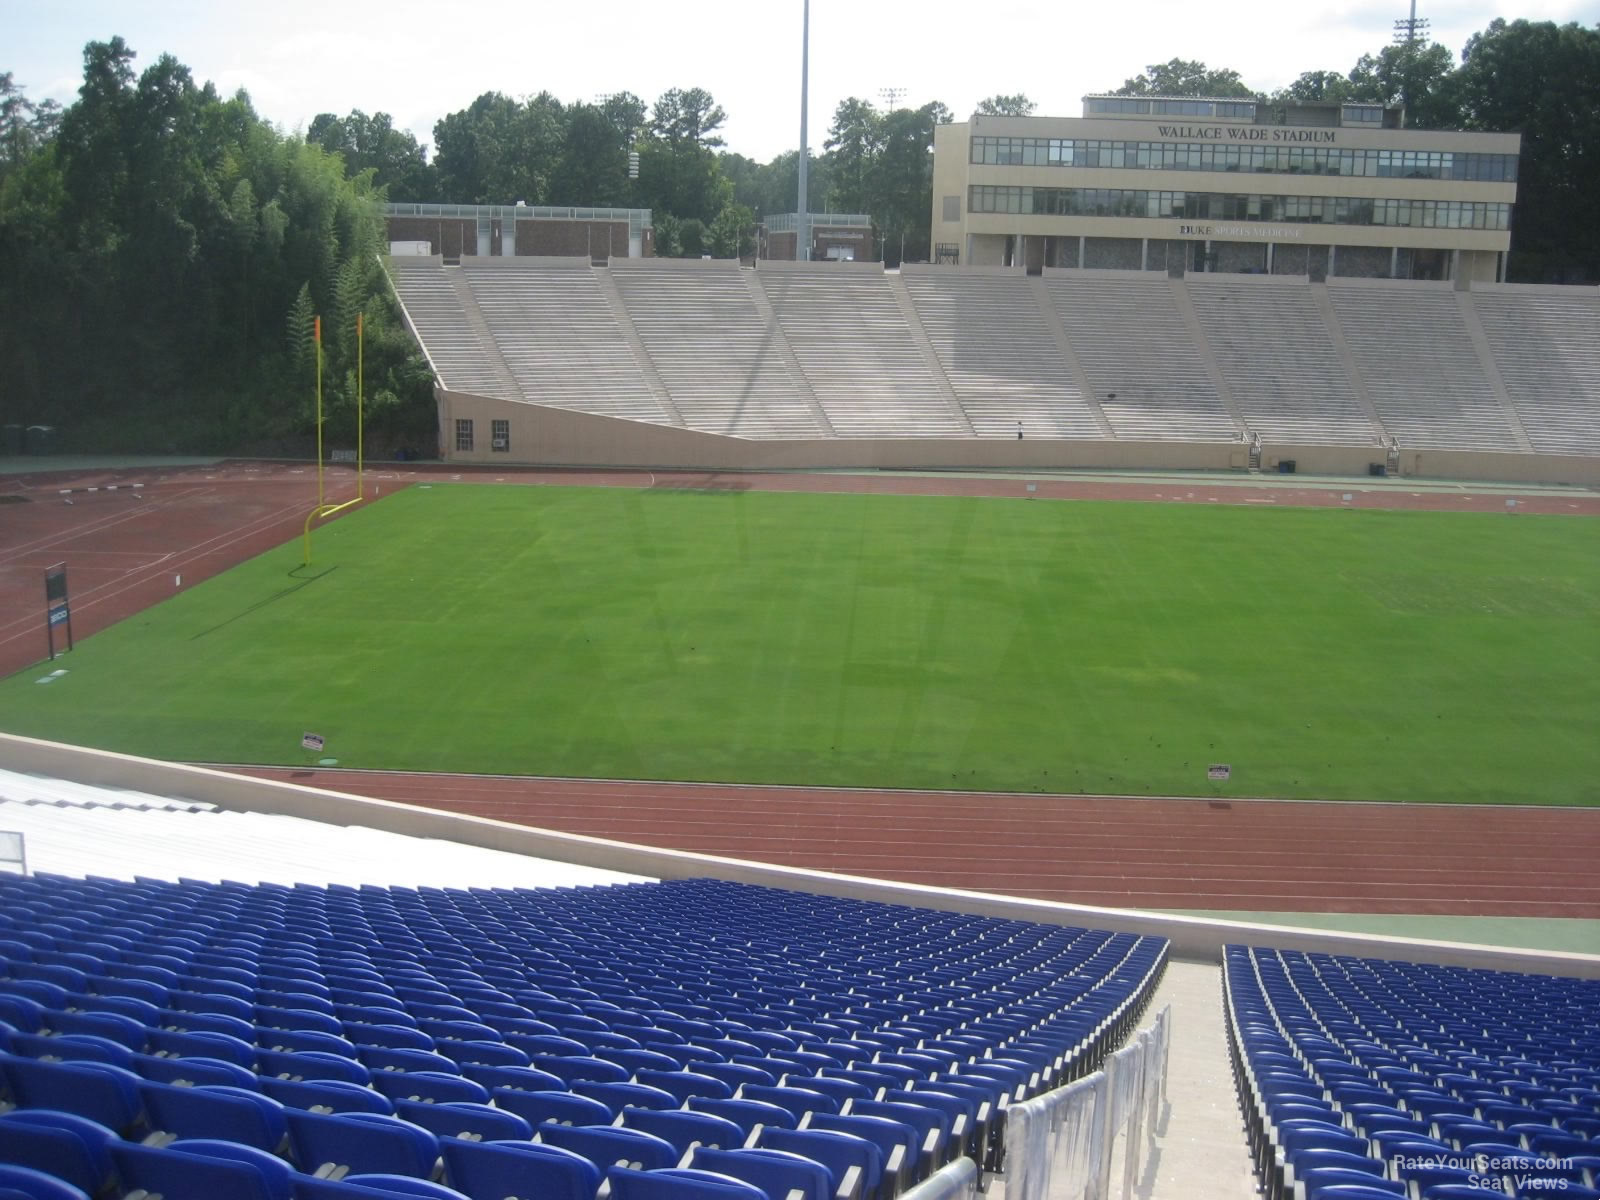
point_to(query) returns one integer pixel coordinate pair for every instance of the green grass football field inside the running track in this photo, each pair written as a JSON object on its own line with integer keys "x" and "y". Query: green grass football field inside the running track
{"x": 879, "y": 641}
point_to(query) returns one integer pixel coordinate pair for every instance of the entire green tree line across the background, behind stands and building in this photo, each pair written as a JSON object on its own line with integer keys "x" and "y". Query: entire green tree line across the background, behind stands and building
{"x": 164, "y": 250}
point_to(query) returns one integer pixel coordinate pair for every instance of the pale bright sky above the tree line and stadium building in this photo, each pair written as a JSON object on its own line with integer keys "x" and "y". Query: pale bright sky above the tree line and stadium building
{"x": 422, "y": 60}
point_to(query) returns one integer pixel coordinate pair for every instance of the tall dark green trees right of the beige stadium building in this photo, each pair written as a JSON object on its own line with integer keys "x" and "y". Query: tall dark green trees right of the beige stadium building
{"x": 1545, "y": 81}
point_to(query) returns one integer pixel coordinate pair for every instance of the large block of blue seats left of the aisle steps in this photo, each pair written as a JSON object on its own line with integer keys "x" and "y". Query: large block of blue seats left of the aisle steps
{"x": 892, "y": 1036}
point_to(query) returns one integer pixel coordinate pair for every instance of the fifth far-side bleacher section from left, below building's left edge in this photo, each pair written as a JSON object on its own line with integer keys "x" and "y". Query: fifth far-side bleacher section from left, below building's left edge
{"x": 999, "y": 354}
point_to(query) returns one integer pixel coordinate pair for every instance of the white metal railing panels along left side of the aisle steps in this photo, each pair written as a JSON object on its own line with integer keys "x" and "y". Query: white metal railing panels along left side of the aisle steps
{"x": 1062, "y": 1145}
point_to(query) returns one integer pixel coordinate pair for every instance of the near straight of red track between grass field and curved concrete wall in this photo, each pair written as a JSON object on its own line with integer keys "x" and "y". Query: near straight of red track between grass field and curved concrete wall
{"x": 1124, "y": 852}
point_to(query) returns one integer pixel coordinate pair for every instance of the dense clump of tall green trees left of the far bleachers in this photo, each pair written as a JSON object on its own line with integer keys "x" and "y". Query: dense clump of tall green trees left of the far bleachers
{"x": 162, "y": 257}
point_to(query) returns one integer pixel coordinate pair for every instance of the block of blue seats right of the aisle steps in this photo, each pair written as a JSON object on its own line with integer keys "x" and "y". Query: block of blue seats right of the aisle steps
{"x": 1342, "y": 1098}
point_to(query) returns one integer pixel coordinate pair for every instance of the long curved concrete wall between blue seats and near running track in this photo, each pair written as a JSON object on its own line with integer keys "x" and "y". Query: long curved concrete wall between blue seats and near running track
{"x": 1191, "y": 937}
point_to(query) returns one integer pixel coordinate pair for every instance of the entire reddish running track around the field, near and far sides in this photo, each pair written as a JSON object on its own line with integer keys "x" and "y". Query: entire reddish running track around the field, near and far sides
{"x": 1266, "y": 855}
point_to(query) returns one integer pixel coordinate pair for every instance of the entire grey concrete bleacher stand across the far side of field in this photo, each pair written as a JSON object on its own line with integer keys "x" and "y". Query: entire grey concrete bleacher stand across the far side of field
{"x": 697, "y": 364}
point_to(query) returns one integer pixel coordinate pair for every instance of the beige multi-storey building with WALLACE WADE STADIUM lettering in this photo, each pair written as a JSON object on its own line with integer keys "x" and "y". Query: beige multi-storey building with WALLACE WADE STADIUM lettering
{"x": 1182, "y": 185}
